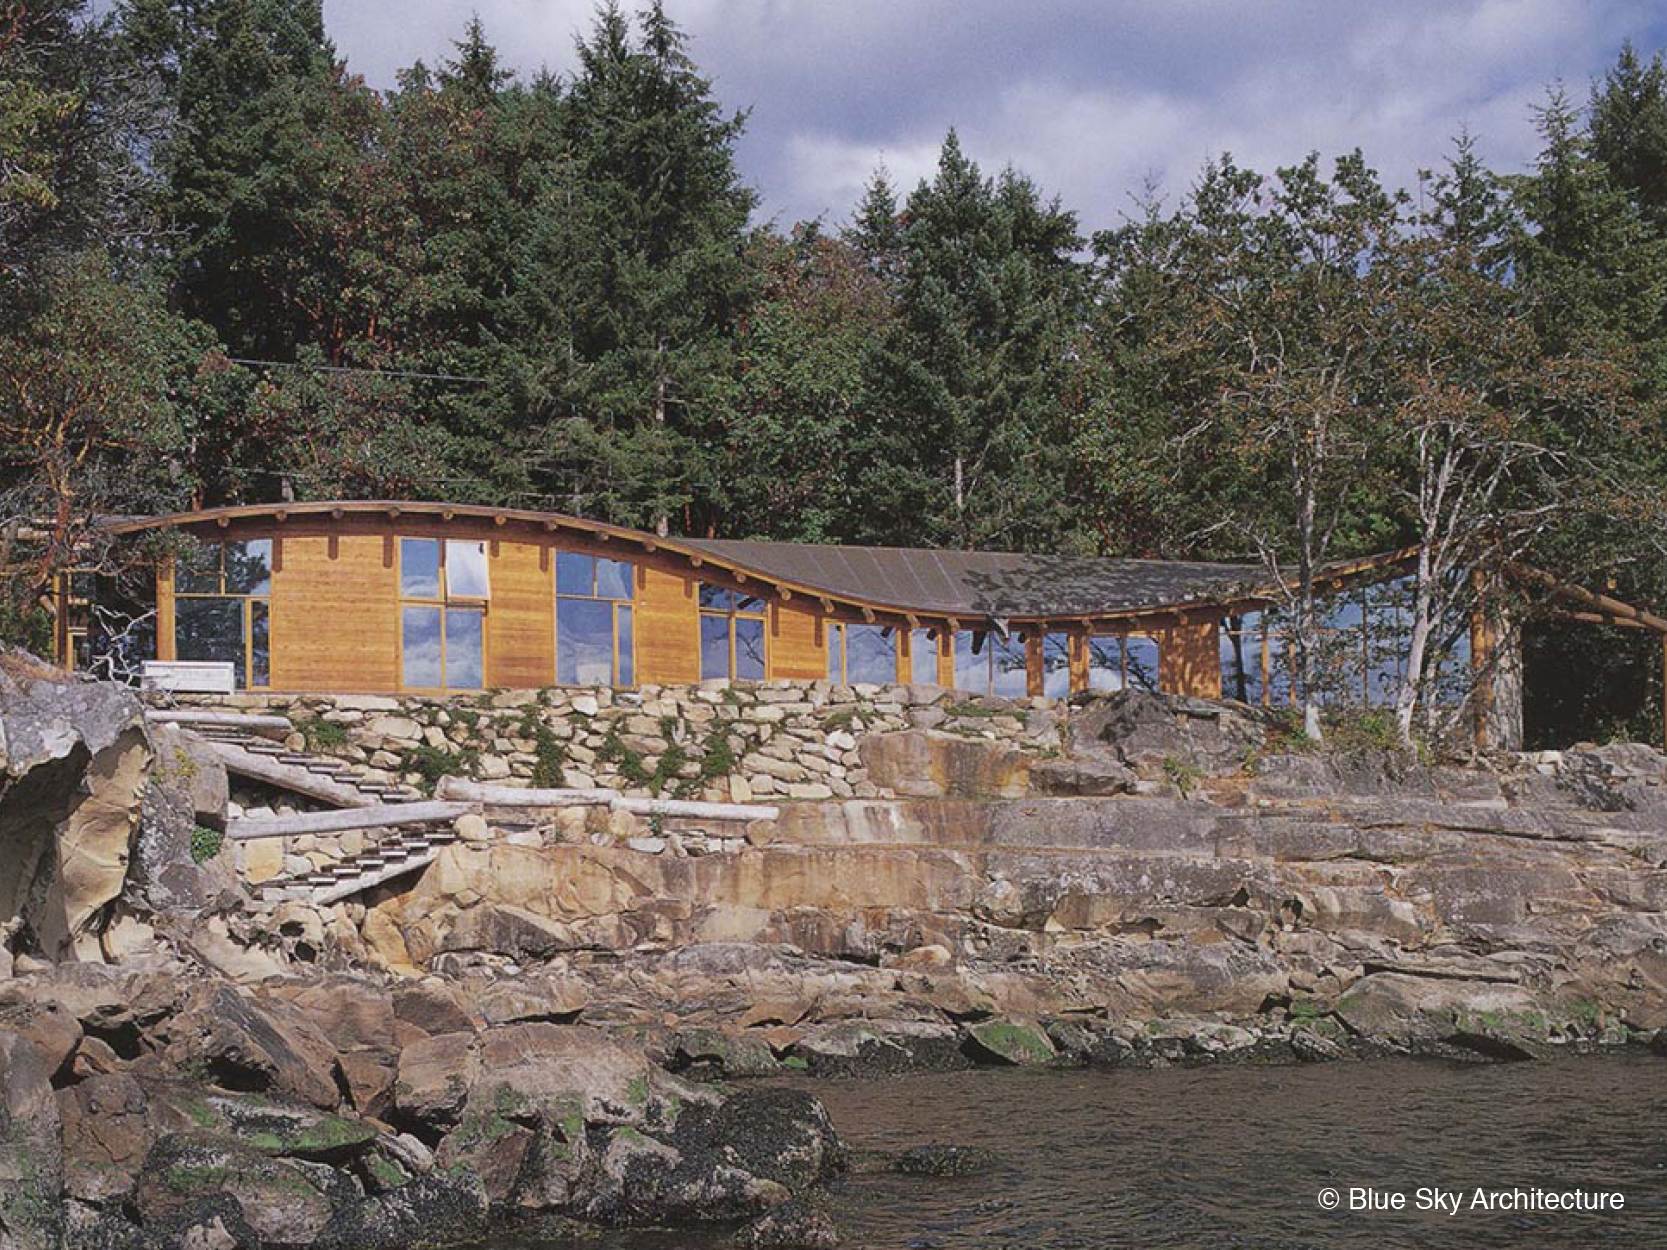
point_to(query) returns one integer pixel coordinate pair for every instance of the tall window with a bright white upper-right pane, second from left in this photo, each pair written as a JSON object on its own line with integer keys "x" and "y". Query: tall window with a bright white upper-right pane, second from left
{"x": 444, "y": 591}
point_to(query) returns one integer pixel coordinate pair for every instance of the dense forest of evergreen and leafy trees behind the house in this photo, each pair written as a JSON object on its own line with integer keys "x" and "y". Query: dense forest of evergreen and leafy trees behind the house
{"x": 234, "y": 272}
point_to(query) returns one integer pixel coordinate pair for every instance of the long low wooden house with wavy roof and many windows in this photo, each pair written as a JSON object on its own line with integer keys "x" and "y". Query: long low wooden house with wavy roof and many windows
{"x": 393, "y": 597}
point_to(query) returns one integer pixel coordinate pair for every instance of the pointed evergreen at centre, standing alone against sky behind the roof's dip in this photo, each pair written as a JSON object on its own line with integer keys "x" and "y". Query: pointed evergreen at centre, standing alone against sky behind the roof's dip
{"x": 968, "y": 417}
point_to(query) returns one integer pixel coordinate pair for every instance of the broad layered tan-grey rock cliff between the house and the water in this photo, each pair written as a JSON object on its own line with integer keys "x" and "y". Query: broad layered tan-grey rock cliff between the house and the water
{"x": 1193, "y": 871}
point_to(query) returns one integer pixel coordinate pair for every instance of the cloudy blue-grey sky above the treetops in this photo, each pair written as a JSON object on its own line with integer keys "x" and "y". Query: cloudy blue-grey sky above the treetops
{"x": 1089, "y": 99}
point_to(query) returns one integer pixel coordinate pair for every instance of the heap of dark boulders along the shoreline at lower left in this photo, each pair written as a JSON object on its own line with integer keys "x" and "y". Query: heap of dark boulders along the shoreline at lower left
{"x": 309, "y": 1116}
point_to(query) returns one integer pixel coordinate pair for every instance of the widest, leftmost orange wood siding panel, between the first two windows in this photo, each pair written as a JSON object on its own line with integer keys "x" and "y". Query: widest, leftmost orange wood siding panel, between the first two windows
{"x": 336, "y": 614}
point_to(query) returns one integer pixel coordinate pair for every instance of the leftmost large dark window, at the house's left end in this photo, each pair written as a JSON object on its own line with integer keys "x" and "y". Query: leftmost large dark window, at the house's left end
{"x": 223, "y": 607}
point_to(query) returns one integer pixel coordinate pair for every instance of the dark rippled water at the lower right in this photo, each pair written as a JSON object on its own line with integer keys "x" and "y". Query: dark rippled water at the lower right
{"x": 1201, "y": 1159}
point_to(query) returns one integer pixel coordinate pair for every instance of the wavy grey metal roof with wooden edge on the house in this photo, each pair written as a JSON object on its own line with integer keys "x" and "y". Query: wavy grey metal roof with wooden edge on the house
{"x": 998, "y": 586}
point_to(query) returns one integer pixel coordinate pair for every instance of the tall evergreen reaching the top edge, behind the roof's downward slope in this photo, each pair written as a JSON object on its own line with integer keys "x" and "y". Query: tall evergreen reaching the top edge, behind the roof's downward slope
{"x": 659, "y": 281}
